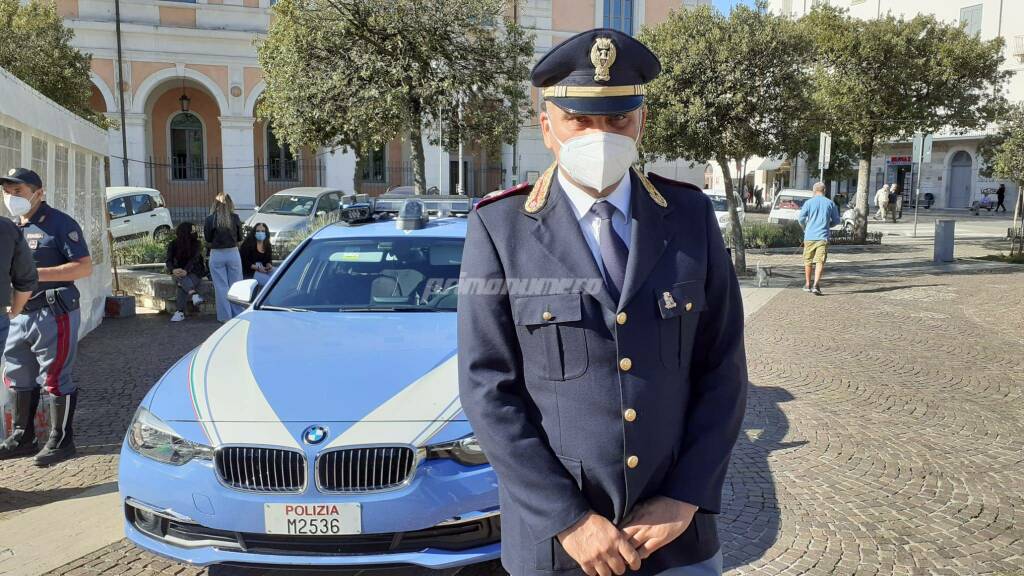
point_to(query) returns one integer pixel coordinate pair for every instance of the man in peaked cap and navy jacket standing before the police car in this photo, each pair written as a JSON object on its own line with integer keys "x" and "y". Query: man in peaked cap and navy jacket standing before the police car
{"x": 602, "y": 339}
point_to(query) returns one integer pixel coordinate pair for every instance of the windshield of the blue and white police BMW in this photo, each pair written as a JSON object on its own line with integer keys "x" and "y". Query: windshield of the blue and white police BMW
{"x": 371, "y": 275}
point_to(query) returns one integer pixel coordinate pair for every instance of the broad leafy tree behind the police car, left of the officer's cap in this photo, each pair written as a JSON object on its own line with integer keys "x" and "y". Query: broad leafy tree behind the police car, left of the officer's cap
{"x": 360, "y": 73}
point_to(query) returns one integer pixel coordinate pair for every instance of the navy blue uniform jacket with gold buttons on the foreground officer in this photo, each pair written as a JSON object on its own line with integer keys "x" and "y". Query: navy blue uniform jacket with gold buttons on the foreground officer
{"x": 585, "y": 404}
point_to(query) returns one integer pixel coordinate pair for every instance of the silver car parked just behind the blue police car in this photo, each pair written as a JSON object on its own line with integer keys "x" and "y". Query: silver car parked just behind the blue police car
{"x": 290, "y": 213}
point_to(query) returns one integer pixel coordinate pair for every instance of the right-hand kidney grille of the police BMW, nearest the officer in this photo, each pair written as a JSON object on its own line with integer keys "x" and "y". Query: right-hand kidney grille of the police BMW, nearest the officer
{"x": 365, "y": 470}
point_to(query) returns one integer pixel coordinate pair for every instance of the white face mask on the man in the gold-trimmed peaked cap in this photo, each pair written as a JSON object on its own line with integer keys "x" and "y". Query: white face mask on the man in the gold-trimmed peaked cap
{"x": 598, "y": 160}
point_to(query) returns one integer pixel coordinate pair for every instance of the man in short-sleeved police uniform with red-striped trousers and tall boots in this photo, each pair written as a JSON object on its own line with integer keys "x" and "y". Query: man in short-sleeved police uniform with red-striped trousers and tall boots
{"x": 44, "y": 341}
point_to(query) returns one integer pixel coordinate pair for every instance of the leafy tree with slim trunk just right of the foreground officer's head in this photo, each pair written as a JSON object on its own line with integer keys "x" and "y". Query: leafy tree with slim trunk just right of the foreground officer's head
{"x": 731, "y": 89}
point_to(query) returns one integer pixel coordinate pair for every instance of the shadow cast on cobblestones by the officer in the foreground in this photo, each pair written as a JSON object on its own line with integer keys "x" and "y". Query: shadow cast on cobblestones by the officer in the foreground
{"x": 750, "y": 521}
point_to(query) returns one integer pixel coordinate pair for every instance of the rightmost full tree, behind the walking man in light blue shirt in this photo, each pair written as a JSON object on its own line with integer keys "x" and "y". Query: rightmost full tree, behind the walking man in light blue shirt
{"x": 885, "y": 79}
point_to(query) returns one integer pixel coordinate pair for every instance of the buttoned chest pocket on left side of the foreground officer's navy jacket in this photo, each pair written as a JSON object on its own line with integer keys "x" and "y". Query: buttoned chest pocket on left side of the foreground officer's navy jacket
{"x": 553, "y": 340}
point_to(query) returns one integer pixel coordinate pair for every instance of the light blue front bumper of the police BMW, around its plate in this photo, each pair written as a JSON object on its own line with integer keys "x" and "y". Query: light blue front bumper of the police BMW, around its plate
{"x": 445, "y": 518}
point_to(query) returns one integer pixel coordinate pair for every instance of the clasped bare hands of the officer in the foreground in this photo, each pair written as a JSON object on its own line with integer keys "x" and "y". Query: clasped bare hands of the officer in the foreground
{"x": 604, "y": 550}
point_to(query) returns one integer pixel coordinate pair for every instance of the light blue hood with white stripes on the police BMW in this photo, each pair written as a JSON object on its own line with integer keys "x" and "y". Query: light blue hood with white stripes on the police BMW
{"x": 370, "y": 378}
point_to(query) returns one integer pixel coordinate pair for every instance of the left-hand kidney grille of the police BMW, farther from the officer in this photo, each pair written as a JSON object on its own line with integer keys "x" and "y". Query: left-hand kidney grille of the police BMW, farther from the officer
{"x": 262, "y": 470}
